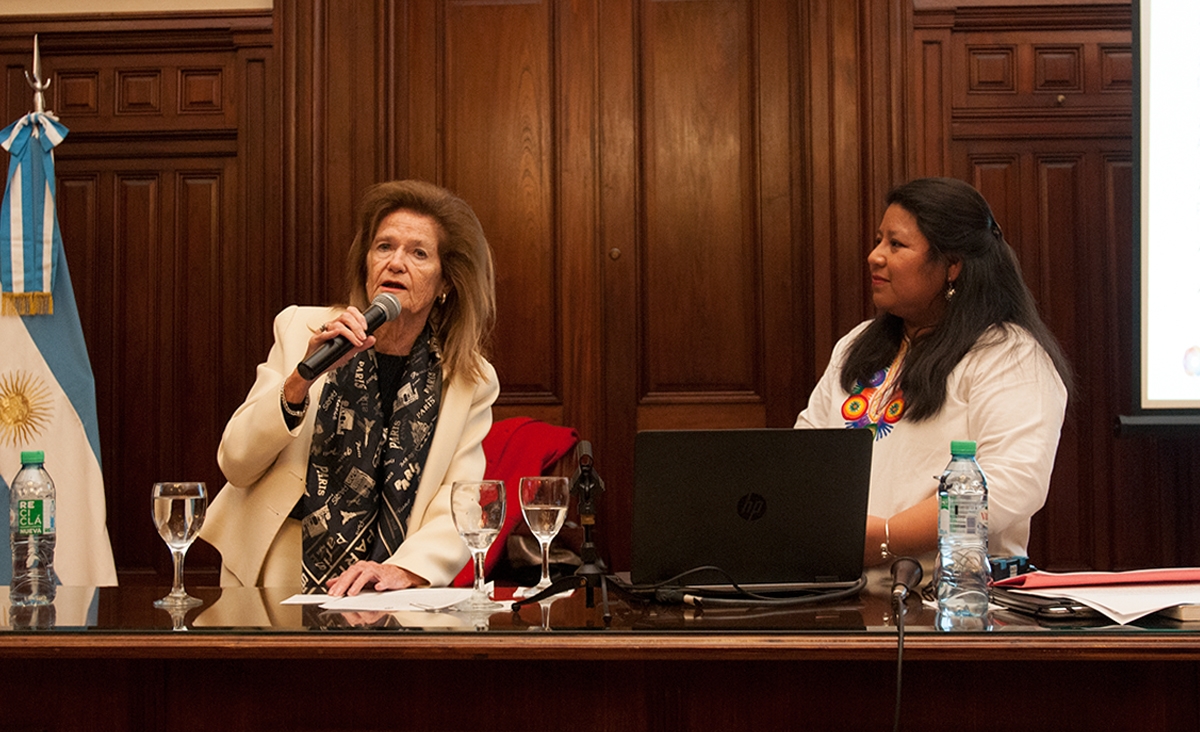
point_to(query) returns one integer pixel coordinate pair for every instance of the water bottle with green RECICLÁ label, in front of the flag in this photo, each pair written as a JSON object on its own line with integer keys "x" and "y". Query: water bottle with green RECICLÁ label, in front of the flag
{"x": 32, "y": 532}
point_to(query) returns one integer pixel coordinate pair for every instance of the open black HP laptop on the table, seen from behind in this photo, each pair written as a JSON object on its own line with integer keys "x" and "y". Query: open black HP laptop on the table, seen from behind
{"x": 775, "y": 509}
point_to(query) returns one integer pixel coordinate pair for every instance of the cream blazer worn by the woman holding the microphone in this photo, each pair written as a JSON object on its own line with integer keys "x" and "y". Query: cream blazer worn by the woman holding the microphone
{"x": 267, "y": 465}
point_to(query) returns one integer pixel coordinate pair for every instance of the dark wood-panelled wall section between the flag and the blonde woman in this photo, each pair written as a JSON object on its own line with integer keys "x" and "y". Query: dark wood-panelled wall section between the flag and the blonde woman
{"x": 171, "y": 223}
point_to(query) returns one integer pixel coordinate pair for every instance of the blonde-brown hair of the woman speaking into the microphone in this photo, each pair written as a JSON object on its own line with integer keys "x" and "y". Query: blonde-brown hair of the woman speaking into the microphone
{"x": 464, "y": 322}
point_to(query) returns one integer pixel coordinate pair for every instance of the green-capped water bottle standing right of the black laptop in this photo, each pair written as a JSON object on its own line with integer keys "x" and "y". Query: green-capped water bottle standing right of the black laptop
{"x": 964, "y": 571}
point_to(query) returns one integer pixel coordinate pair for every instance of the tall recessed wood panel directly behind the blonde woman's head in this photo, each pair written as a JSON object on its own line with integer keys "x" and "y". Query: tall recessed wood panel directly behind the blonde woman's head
{"x": 500, "y": 158}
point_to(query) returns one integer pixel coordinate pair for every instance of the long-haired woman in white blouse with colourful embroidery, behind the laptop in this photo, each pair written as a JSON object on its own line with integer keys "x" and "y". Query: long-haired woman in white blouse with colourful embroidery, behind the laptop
{"x": 957, "y": 352}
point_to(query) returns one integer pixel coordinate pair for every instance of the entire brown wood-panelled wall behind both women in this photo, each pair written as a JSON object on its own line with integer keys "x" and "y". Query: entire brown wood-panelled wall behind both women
{"x": 680, "y": 195}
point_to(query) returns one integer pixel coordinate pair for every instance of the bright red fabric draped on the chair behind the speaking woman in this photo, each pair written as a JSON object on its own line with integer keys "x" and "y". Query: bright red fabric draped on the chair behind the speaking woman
{"x": 517, "y": 448}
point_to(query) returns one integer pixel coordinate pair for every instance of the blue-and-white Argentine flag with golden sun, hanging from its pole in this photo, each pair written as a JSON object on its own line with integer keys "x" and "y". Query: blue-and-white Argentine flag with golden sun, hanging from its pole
{"x": 47, "y": 391}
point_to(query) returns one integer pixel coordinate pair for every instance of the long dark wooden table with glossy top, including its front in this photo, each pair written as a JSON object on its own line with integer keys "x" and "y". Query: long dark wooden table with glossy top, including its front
{"x": 247, "y": 663}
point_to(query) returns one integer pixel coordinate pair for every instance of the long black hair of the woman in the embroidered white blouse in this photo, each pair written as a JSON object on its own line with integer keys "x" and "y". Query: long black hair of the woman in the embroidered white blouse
{"x": 989, "y": 292}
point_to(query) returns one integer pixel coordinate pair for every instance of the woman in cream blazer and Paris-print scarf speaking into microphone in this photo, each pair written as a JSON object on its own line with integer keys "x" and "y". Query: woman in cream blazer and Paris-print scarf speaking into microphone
{"x": 343, "y": 482}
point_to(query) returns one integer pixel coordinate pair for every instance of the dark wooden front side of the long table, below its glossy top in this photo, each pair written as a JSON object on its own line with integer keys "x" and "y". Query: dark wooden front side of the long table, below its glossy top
{"x": 753, "y": 683}
